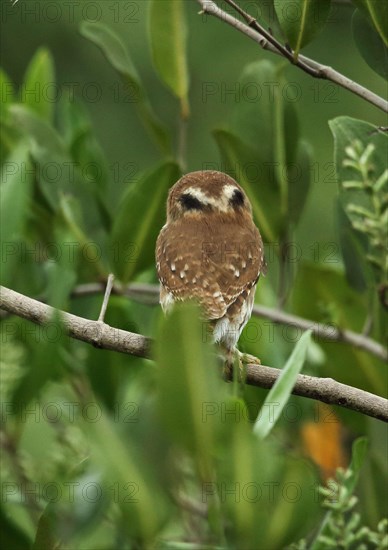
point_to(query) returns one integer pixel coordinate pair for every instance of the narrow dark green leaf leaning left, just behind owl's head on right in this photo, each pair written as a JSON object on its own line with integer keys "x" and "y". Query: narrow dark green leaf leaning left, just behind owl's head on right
{"x": 241, "y": 162}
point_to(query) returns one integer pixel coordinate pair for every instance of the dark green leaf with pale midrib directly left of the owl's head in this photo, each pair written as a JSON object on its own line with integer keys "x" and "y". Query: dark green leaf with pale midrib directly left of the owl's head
{"x": 132, "y": 247}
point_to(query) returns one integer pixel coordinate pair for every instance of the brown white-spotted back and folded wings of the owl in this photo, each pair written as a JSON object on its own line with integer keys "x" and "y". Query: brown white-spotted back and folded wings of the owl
{"x": 214, "y": 267}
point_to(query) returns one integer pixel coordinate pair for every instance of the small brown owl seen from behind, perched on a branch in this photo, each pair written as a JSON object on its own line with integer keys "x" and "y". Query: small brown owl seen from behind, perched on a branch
{"x": 210, "y": 250}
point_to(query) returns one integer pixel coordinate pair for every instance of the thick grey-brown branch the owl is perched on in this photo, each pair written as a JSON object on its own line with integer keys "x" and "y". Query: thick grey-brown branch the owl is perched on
{"x": 101, "y": 335}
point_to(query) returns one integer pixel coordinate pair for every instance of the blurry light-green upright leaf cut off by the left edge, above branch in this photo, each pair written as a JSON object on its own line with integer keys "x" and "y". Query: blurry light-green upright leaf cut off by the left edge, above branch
{"x": 15, "y": 196}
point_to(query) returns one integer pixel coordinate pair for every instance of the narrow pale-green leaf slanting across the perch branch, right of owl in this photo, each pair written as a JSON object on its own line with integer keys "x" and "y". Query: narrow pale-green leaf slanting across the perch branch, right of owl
{"x": 281, "y": 390}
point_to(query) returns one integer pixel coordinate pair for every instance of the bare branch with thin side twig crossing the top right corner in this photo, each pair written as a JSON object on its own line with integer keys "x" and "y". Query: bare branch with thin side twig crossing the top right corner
{"x": 257, "y": 33}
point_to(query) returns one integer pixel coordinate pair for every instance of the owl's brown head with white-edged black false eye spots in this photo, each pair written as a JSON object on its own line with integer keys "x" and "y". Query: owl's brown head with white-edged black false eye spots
{"x": 206, "y": 192}
